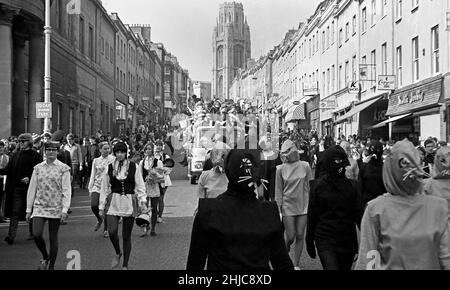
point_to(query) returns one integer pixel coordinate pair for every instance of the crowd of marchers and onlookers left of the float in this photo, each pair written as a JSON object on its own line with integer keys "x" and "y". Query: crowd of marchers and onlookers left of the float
{"x": 126, "y": 177}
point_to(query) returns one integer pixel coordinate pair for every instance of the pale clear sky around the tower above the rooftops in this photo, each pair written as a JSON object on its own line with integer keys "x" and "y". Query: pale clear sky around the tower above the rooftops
{"x": 185, "y": 27}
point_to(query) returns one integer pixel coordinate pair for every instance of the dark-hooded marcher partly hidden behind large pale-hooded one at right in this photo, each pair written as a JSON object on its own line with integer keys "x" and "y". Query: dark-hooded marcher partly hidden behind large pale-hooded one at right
{"x": 370, "y": 177}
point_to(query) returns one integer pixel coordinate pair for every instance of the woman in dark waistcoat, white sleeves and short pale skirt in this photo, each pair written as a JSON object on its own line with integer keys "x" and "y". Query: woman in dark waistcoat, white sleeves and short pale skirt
{"x": 121, "y": 195}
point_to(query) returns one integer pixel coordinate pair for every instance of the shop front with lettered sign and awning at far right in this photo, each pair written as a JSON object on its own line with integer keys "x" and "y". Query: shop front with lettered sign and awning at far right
{"x": 416, "y": 112}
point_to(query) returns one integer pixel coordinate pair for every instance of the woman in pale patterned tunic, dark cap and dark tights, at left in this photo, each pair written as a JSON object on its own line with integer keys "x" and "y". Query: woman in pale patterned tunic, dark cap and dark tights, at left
{"x": 48, "y": 199}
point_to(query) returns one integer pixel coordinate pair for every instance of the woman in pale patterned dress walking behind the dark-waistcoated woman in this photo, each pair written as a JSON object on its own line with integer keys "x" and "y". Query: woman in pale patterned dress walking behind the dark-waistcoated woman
{"x": 99, "y": 166}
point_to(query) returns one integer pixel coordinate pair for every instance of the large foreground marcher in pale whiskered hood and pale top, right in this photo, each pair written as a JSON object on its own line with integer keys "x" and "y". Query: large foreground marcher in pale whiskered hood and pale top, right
{"x": 404, "y": 229}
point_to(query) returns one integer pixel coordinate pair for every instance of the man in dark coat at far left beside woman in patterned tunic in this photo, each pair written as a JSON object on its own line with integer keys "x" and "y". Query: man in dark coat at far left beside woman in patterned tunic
{"x": 18, "y": 172}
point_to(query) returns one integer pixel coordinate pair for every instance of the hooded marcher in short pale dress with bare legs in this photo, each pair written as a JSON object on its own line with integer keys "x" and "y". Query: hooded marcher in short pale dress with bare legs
{"x": 291, "y": 195}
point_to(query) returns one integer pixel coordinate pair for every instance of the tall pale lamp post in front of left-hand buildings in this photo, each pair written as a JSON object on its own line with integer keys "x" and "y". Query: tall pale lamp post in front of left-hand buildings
{"x": 47, "y": 76}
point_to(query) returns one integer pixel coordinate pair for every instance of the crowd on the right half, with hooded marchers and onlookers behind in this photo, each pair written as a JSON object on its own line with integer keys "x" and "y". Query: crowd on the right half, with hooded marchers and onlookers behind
{"x": 393, "y": 195}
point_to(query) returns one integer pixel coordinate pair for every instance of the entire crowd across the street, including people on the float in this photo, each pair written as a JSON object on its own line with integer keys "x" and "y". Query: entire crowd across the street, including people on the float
{"x": 254, "y": 203}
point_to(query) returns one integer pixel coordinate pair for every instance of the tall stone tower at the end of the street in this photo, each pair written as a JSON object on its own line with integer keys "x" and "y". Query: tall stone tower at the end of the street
{"x": 231, "y": 47}
